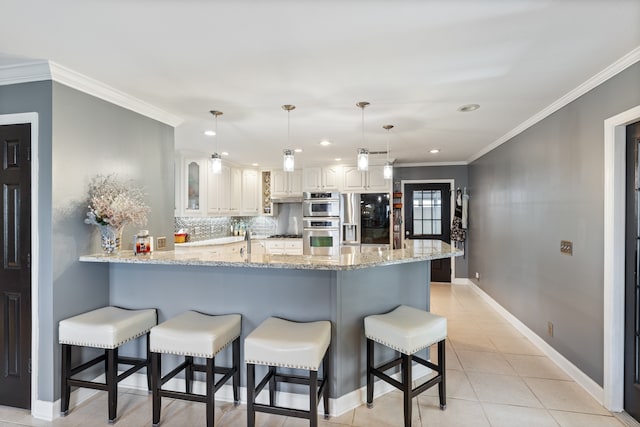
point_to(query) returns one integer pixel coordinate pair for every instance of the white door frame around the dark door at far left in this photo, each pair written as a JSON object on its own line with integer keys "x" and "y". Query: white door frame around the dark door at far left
{"x": 32, "y": 118}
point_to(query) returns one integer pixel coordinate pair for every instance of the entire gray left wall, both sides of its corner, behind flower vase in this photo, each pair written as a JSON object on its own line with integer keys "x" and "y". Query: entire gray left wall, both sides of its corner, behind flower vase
{"x": 81, "y": 136}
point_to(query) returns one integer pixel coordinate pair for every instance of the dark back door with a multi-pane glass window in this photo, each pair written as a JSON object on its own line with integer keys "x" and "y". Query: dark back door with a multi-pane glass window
{"x": 427, "y": 215}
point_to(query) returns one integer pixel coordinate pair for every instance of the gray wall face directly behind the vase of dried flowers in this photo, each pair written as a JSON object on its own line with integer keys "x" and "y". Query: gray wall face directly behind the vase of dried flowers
{"x": 90, "y": 137}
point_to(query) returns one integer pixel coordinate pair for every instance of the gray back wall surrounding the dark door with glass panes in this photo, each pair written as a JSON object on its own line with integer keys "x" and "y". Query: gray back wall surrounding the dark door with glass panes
{"x": 460, "y": 175}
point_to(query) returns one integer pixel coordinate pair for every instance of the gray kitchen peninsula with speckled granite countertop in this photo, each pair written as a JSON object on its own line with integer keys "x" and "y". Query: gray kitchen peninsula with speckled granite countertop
{"x": 342, "y": 289}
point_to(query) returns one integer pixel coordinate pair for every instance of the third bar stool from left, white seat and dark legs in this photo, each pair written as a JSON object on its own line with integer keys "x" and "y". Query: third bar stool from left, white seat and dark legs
{"x": 279, "y": 343}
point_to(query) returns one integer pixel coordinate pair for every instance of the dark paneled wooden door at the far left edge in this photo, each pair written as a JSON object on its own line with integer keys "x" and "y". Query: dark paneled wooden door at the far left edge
{"x": 15, "y": 271}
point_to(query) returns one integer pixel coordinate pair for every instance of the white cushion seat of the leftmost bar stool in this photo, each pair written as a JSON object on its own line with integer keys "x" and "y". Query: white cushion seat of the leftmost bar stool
{"x": 107, "y": 327}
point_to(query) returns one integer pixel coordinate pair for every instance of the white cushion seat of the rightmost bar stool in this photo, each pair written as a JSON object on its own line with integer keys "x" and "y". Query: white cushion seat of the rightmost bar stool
{"x": 406, "y": 329}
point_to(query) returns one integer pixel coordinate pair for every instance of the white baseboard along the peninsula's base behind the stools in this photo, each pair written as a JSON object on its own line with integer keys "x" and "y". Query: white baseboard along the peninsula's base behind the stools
{"x": 49, "y": 411}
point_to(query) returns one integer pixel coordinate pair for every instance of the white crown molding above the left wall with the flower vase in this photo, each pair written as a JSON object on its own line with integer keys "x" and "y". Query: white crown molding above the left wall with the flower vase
{"x": 49, "y": 70}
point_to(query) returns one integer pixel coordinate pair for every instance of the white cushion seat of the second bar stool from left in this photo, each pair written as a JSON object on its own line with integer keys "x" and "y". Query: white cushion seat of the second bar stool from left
{"x": 195, "y": 334}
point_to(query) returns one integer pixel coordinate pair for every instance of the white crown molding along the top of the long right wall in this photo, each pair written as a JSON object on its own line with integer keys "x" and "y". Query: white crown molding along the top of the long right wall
{"x": 620, "y": 65}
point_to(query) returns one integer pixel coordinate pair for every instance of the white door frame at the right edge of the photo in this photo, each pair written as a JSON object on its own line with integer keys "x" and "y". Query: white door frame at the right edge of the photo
{"x": 614, "y": 256}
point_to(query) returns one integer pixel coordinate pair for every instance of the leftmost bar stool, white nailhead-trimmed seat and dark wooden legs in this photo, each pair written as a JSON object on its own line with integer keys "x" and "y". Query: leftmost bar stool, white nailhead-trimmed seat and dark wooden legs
{"x": 107, "y": 328}
